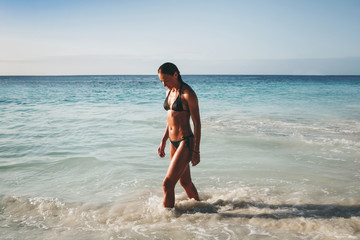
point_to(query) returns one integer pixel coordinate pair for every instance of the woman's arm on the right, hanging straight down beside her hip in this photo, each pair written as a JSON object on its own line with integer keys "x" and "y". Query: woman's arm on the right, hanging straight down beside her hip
{"x": 195, "y": 116}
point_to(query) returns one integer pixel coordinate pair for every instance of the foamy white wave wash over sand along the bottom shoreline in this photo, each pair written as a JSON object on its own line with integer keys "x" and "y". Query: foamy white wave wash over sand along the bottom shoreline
{"x": 243, "y": 213}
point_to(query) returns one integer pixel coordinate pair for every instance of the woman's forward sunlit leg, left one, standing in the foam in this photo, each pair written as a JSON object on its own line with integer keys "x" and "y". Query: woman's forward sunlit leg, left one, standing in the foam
{"x": 178, "y": 164}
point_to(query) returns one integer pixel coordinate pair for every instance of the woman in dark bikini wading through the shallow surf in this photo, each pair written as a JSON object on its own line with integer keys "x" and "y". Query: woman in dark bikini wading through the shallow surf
{"x": 180, "y": 103}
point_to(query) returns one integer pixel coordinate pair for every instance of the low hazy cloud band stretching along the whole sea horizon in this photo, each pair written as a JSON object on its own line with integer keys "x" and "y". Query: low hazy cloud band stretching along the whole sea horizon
{"x": 127, "y": 64}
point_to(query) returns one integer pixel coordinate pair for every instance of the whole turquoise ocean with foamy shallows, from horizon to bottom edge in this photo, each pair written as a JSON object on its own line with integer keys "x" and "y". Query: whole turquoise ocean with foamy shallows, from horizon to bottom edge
{"x": 280, "y": 158}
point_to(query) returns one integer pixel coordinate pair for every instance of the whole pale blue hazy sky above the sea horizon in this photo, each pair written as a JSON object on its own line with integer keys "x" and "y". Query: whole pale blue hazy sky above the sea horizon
{"x": 71, "y": 37}
